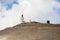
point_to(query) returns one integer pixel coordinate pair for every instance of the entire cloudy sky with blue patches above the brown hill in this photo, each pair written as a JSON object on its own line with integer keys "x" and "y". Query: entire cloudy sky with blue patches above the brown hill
{"x": 33, "y": 10}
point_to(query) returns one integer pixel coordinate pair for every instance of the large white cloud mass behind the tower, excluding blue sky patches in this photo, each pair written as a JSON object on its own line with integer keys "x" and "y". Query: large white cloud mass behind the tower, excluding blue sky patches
{"x": 35, "y": 10}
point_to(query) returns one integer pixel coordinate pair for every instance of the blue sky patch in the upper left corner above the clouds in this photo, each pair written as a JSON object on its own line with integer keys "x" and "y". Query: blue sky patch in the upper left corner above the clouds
{"x": 8, "y": 5}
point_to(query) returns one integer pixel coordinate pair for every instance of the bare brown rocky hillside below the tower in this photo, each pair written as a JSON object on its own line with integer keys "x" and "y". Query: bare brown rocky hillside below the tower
{"x": 31, "y": 31}
